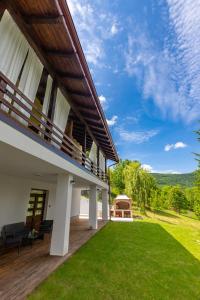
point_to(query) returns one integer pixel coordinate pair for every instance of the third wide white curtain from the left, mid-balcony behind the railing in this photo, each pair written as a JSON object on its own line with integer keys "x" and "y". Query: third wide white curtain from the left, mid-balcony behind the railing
{"x": 62, "y": 109}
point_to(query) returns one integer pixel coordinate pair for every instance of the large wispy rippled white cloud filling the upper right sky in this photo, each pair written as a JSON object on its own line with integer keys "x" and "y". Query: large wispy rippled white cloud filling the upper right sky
{"x": 170, "y": 76}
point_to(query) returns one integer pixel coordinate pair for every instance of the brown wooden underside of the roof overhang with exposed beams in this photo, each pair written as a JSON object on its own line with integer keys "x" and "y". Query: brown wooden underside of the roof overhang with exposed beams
{"x": 49, "y": 27}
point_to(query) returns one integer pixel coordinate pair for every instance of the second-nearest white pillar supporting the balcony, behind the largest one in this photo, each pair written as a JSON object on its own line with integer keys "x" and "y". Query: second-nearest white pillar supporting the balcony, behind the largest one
{"x": 93, "y": 207}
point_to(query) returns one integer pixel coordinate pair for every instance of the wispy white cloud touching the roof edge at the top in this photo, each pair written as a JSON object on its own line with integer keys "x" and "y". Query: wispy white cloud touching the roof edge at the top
{"x": 94, "y": 25}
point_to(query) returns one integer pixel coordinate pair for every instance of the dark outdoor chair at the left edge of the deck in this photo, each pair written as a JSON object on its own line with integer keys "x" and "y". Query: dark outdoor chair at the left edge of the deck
{"x": 14, "y": 234}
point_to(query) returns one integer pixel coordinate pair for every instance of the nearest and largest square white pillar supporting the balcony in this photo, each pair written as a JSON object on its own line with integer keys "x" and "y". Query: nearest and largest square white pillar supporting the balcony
{"x": 61, "y": 224}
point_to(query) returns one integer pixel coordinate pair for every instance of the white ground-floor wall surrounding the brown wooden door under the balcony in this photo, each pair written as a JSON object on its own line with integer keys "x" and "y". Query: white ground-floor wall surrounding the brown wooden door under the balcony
{"x": 14, "y": 198}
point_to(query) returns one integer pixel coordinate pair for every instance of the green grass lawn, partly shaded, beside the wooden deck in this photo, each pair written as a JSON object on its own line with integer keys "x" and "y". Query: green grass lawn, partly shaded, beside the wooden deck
{"x": 156, "y": 258}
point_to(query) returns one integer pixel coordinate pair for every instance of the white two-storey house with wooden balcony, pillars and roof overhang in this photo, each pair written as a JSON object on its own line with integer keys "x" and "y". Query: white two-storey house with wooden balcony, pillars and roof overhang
{"x": 54, "y": 139}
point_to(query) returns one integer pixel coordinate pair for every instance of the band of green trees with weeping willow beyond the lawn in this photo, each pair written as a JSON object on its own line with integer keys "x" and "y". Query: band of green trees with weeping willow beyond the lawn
{"x": 144, "y": 189}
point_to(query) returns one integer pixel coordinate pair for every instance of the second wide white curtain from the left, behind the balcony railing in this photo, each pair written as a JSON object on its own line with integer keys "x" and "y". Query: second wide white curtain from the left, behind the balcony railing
{"x": 29, "y": 81}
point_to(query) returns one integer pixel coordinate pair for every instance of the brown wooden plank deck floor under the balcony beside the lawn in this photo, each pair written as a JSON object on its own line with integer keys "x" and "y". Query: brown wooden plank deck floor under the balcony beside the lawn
{"x": 19, "y": 275}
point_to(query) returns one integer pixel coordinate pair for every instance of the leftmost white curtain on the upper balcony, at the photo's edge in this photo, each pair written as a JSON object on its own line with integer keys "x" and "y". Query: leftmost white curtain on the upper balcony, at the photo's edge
{"x": 13, "y": 49}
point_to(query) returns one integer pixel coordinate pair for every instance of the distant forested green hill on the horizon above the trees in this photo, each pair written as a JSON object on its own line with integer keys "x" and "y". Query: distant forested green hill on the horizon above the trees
{"x": 186, "y": 179}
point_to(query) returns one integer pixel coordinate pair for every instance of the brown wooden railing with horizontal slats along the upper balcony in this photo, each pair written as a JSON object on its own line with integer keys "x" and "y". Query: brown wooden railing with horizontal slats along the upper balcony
{"x": 15, "y": 104}
